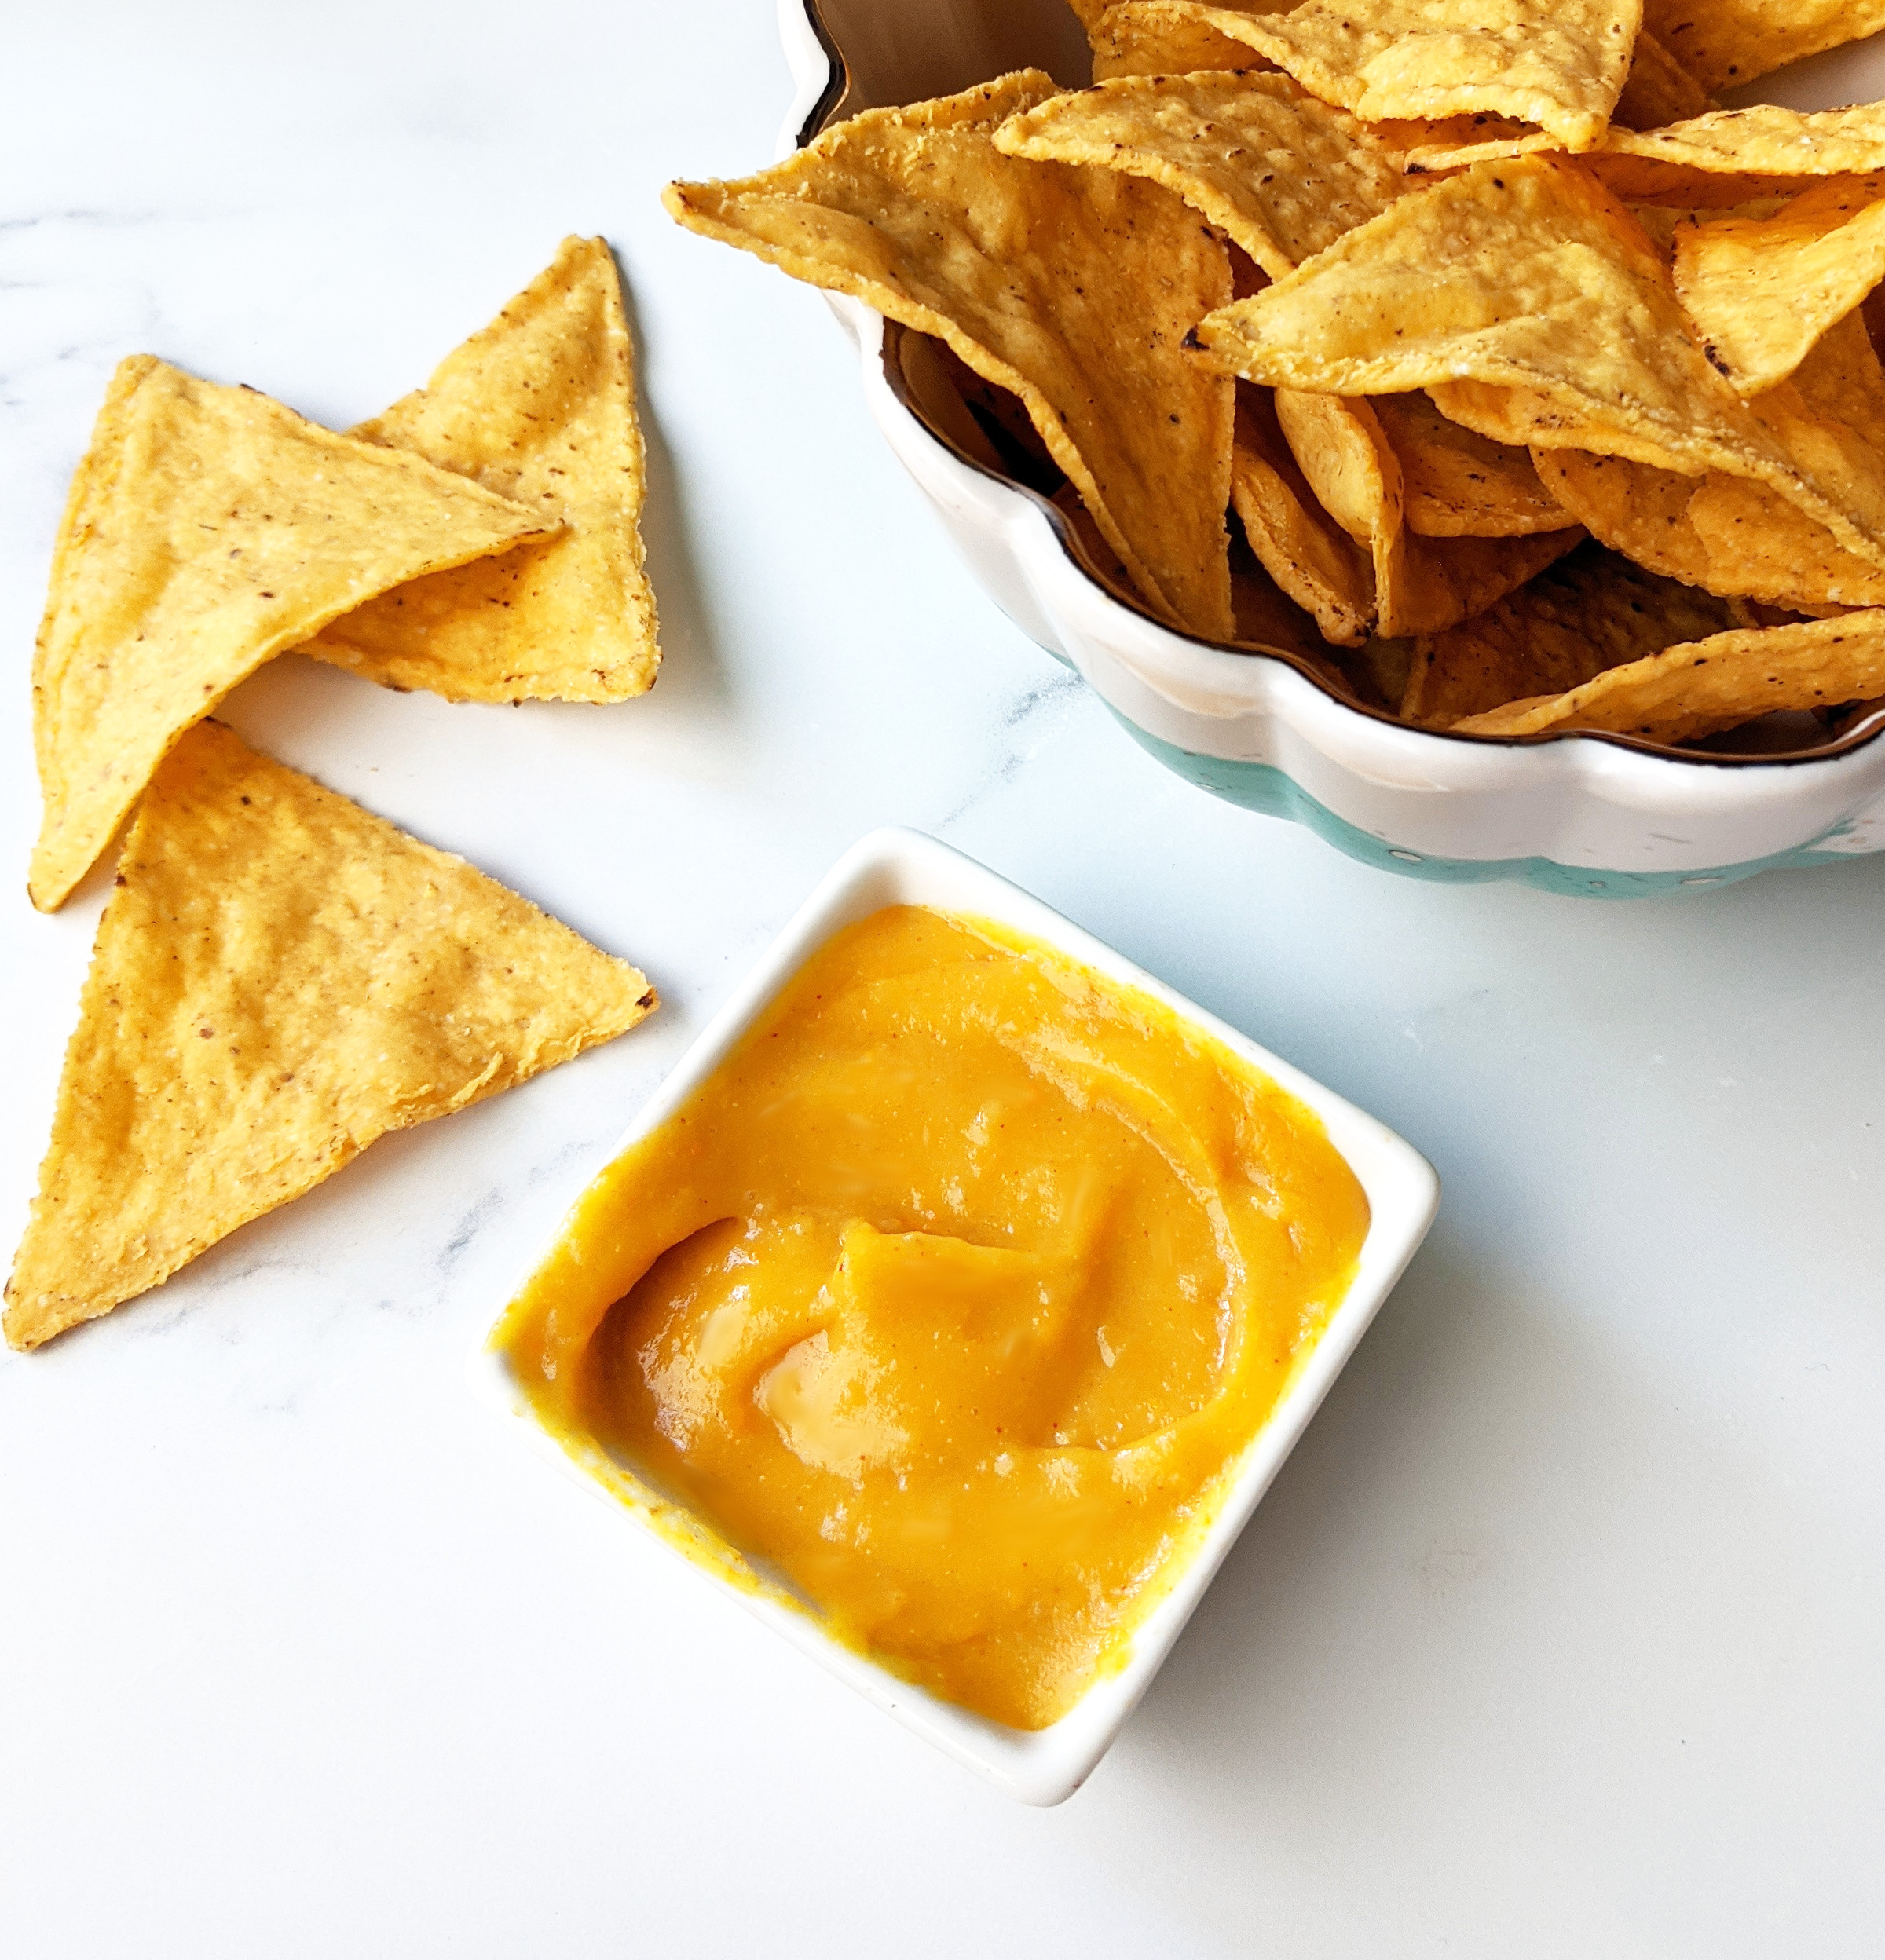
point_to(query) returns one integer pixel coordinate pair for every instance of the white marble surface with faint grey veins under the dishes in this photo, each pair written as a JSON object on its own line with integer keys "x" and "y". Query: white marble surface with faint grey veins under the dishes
{"x": 1559, "y": 1636}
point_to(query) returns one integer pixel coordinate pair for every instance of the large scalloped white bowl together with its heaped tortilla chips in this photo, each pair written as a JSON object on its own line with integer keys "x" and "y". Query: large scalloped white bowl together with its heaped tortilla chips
{"x": 1441, "y": 424}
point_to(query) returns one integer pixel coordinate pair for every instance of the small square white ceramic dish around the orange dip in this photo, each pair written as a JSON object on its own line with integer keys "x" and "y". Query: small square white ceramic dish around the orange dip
{"x": 898, "y": 867}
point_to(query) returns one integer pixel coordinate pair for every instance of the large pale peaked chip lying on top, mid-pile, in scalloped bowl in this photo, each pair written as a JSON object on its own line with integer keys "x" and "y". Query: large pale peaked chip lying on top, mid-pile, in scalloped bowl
{"x": 1541, "y": 315}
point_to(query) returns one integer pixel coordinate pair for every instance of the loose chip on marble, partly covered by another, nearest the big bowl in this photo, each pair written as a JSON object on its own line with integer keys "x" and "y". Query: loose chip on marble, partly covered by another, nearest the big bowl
{"x": 538, "y": 407}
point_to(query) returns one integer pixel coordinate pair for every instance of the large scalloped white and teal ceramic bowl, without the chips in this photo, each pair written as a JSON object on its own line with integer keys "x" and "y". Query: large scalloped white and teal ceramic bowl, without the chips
{"x": 1586, "y": 814}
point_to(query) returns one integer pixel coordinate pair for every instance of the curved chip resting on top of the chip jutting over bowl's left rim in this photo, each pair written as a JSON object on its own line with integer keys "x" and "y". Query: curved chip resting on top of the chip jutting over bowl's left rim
{"x": 1277, "y": 171}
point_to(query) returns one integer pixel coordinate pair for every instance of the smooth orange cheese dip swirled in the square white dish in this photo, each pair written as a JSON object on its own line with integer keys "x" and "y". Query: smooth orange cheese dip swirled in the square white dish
{"x": 953, "y": 1297}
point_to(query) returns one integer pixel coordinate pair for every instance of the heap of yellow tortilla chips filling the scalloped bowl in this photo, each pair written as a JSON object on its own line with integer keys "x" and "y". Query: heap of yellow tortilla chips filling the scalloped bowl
{"x": 1504, "y": 277}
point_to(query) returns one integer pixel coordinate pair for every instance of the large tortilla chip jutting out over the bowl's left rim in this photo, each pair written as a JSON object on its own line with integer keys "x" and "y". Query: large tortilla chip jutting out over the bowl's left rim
{"x": 1071, "y": 287}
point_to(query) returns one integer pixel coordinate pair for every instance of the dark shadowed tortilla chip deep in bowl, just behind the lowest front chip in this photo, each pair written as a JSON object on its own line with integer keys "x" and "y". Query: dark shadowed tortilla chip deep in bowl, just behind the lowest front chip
{"x": 1586, "y": 614}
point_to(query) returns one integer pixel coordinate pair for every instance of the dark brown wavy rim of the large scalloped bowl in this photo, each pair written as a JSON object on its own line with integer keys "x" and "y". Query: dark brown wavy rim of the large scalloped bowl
{"x": 818, "y": 107}
